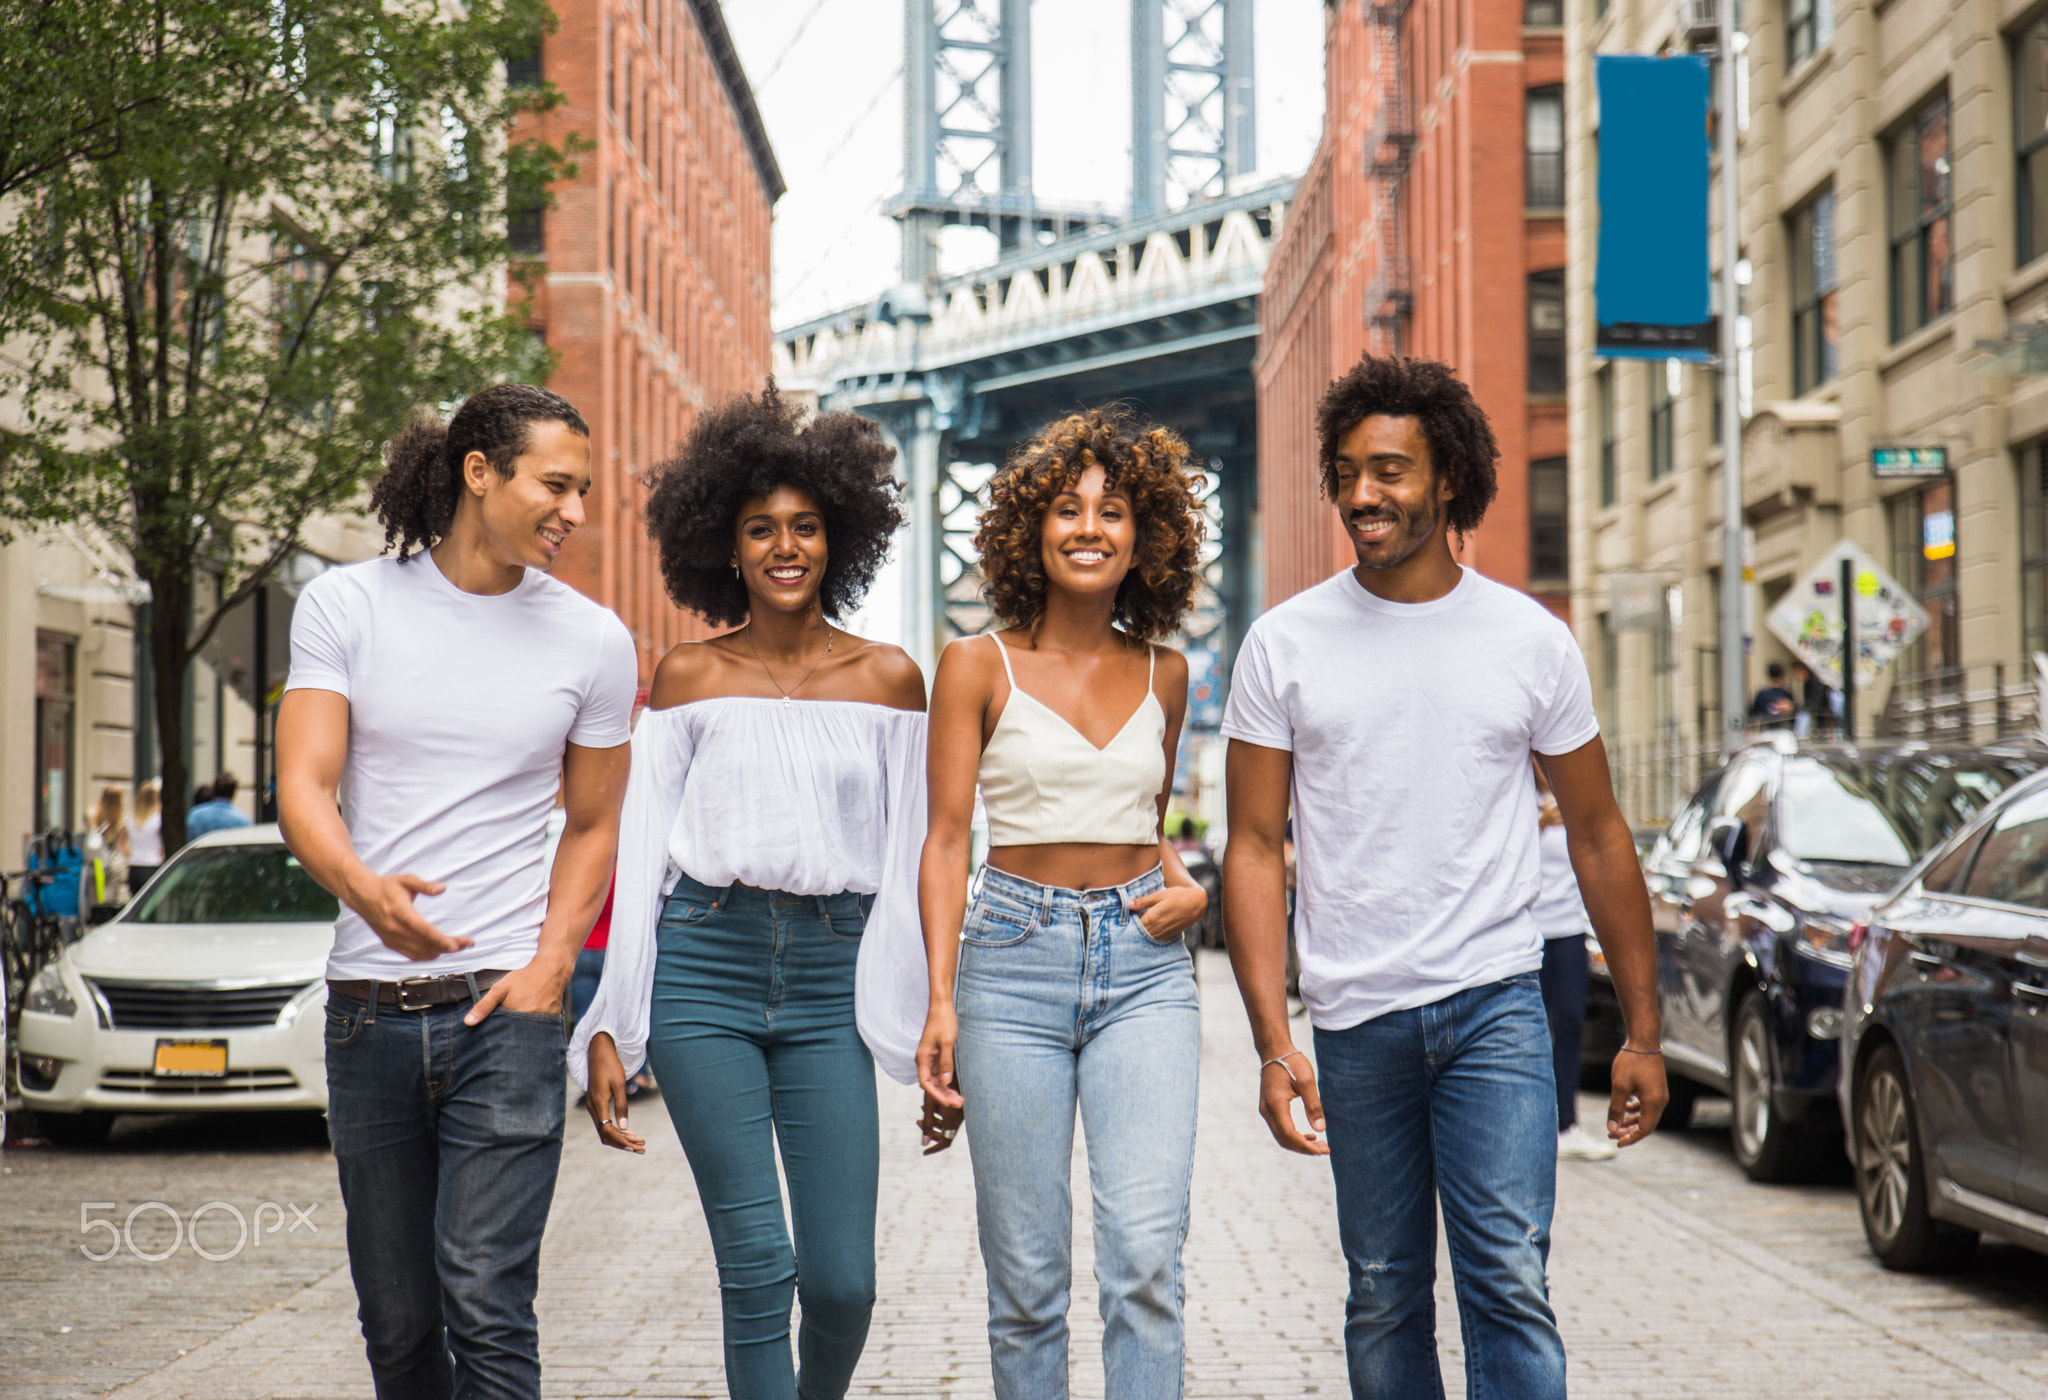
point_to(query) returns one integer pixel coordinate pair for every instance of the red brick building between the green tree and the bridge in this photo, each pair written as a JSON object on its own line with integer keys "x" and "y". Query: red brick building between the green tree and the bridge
{"x": 656, "y": 263}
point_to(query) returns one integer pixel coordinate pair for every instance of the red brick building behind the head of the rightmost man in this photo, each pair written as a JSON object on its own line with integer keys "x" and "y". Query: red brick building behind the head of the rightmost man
{"x": 1433, "y": 222}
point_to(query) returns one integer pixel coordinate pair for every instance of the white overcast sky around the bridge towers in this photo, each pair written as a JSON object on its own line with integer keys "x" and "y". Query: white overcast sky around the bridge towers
{"x": 828, "y": 77}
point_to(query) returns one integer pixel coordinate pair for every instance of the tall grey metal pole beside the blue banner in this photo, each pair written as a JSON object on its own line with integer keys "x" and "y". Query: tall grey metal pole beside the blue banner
{"x": 1734, "y": 670}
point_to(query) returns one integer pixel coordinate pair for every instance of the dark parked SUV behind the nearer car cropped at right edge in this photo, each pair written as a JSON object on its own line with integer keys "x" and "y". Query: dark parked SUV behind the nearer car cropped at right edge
{"x": 1754, "y": 891}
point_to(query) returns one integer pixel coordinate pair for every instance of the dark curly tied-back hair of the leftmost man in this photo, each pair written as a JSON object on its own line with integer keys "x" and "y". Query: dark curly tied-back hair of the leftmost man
{"x": 423, "y": 480}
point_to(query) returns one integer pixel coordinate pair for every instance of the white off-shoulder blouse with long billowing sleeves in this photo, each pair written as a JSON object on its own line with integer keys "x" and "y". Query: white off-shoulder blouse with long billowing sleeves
{"x": 818, "y": 797}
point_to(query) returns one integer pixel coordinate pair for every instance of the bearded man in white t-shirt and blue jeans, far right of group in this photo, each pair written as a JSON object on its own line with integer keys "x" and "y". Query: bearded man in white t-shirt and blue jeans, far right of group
{"x": 1398, "y": 707}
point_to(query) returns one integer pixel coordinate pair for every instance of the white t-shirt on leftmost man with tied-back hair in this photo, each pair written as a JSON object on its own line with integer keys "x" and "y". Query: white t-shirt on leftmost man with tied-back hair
{"x": 460, "y": 709}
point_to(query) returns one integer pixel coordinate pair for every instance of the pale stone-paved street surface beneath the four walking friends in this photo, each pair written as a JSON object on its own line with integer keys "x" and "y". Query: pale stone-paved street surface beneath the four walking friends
{"x": 1656, "y": 1299}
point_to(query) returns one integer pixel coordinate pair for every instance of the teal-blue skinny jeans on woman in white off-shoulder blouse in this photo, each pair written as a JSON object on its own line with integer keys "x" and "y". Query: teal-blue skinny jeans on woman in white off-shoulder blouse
{"x": 753, "y": 1039}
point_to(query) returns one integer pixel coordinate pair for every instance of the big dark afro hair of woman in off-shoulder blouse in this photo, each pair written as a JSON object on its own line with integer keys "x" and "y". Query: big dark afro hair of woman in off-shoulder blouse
{"x": 744, "y": 449}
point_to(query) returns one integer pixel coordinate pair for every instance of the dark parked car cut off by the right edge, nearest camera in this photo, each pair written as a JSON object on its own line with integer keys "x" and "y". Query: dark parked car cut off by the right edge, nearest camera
{"x": 1949, "y": 1045}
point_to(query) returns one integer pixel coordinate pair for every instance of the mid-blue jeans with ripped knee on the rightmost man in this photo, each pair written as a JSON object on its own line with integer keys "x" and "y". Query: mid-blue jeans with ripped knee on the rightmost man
{"x": 1447, "y": 1102}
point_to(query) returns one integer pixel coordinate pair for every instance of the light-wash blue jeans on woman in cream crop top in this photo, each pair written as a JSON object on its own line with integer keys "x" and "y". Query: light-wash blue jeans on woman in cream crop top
{"x": 1066, "y": 1002}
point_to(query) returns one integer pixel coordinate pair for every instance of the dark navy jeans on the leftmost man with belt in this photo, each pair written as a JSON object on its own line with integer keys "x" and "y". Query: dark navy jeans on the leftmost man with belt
{"x": 447, "y": 1139}
